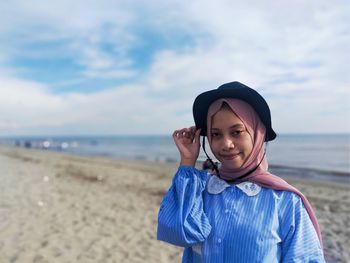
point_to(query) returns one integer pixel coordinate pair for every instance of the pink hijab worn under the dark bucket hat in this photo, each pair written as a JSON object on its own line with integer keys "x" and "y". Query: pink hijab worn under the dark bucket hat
{"x": 260, "y": 176}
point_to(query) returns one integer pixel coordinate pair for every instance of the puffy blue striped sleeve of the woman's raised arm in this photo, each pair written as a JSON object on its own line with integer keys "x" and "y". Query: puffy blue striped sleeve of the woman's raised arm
{"x": 181, "y": 219}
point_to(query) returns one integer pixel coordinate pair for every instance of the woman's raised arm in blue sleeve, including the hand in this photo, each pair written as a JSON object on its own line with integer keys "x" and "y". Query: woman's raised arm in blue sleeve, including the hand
{"x": 182, "y": 220}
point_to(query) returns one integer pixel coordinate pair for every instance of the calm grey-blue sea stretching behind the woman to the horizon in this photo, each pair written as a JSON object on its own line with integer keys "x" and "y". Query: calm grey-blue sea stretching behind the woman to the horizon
{"x": 311, "y": 156}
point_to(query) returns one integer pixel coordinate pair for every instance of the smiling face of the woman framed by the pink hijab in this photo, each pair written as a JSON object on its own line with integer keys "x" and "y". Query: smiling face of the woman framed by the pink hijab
{"x": 230, "y": 141}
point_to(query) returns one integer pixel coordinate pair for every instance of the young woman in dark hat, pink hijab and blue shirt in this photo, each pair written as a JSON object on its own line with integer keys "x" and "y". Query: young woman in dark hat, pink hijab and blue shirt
{"x": 240, "y": 212}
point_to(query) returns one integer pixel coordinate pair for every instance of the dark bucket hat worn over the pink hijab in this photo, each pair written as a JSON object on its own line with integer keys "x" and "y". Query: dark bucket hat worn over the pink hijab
{"x": 234, "y": 90}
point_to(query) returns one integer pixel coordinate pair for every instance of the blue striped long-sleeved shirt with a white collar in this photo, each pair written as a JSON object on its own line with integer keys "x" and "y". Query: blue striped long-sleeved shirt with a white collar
{"x": 216, "y": 222}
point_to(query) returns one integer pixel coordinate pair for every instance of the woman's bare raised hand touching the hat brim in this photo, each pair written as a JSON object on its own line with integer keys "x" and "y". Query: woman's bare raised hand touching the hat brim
{"x": 187, "y": 141}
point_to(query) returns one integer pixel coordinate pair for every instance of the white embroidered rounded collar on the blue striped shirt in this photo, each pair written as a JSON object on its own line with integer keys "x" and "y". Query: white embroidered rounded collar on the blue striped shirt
{"x": 217, "y": 185}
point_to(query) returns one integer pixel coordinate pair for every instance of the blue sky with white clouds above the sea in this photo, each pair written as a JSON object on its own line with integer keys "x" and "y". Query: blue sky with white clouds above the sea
{"x": 112, "y": 67}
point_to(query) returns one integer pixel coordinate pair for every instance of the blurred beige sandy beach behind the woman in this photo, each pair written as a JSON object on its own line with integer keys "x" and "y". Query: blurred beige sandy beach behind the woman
{"x": 57, "y": 207}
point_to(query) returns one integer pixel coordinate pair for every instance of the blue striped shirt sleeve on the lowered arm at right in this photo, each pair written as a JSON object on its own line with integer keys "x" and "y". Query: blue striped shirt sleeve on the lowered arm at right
{"x": 300, "y": 241}
